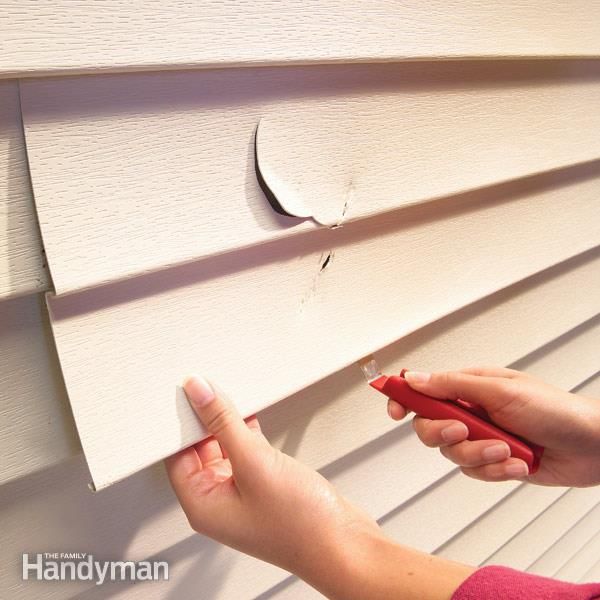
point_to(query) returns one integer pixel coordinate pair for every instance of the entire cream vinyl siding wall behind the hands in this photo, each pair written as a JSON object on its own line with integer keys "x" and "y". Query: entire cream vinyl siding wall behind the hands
{"x": 468, "y": 194}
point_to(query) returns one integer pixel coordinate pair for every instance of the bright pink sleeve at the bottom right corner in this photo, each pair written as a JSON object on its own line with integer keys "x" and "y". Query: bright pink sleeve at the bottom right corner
{"x": 502, "y": 583}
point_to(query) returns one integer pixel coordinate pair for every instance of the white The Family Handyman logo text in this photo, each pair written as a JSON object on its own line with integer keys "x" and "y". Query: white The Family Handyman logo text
{"x": 81, "y": 566}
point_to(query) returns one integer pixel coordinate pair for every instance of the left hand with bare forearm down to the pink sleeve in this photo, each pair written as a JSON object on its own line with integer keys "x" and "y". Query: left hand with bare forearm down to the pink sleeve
{"x": 239, "y": 490}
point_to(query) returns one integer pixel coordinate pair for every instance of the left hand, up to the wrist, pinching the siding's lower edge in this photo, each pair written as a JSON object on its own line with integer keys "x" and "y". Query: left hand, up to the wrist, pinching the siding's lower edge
{"x": 238, "y": 489}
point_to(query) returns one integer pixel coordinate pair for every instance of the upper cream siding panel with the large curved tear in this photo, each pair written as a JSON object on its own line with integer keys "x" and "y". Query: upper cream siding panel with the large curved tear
{"x": 134, "y": 173}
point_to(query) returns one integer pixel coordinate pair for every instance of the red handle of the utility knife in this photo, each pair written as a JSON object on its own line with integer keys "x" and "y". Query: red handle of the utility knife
{"x": 474, "y": 417}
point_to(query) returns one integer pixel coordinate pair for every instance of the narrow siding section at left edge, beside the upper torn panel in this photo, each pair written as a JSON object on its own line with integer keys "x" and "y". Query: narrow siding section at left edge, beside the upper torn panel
{"x": 21, "y": 255}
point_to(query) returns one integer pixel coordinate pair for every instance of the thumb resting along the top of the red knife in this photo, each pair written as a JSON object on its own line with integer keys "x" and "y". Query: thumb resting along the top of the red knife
{"x": 492, "y": 393}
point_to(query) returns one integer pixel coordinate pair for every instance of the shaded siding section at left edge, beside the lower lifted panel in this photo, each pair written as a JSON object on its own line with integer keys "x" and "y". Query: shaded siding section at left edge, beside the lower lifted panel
{"x": 37, "y": 427}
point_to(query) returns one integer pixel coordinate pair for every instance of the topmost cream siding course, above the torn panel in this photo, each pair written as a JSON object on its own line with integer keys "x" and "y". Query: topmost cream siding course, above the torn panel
{"x": 62, "y": 36}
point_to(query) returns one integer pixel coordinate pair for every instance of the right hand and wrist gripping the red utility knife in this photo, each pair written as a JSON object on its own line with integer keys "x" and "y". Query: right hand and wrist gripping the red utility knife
{"x": 567, "y": 425}
